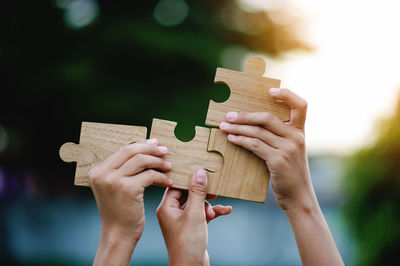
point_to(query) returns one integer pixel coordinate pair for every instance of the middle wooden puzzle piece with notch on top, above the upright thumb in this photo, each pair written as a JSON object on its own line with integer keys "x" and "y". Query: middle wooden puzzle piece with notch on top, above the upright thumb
{"x": 186, "y": 157}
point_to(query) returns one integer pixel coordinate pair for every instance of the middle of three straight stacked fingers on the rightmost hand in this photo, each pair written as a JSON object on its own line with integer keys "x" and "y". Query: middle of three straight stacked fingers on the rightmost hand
{"x": 252, "y": 131}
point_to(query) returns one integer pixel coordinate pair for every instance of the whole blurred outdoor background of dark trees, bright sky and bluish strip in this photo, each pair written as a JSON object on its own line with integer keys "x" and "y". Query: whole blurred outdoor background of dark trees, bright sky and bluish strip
{"x": 67, "y": 61}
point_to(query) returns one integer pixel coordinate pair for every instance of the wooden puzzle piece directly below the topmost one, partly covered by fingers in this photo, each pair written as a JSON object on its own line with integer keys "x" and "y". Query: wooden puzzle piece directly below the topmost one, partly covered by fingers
{"x": 243, "y": 175}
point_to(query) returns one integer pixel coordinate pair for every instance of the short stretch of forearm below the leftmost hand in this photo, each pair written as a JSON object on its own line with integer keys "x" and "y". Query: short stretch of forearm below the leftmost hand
{"x": 114, "y": 249}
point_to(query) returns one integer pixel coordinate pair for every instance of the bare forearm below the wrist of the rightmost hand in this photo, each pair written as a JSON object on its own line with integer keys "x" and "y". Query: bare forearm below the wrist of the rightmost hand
{"x": 314, "y": 240}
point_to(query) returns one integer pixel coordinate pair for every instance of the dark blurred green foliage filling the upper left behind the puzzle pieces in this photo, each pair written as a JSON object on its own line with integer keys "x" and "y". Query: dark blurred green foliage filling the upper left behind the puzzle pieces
{"x": 125, "y": 67}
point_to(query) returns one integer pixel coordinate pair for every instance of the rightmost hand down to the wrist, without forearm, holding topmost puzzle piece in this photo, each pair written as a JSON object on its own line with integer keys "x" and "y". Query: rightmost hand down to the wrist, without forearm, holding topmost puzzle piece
{"x": 281, "y": 145}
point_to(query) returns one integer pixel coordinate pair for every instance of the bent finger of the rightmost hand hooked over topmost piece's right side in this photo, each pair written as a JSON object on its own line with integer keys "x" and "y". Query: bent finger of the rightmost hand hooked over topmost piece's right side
{"x": 298, "y": 105}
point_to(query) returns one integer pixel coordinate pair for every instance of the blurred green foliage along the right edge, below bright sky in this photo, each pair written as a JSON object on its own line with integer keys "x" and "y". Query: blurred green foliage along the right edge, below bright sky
{"x": 372, "y": 190}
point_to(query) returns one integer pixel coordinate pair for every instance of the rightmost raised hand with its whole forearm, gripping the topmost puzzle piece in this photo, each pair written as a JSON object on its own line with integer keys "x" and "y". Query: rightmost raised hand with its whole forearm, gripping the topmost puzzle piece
{"x": 282, "y": 147}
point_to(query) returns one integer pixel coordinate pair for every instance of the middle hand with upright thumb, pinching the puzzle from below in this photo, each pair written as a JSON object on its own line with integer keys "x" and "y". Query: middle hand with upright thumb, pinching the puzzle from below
{"x": 183, "y": 220}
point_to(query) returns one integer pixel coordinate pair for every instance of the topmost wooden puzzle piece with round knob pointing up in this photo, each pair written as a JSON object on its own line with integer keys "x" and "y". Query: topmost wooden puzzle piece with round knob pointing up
{"x": 249, "y": 93}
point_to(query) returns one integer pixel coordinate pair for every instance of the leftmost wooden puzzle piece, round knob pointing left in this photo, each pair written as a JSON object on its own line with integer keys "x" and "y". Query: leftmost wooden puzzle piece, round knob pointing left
{"x": 97, "y": 142}
